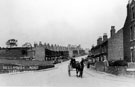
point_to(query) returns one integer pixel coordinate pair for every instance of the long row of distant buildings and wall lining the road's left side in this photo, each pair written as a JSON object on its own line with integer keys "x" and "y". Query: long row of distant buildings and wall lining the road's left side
{"x": 40, "y": 52}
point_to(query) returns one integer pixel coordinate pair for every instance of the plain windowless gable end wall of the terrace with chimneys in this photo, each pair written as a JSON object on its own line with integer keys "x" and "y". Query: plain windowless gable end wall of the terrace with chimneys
{"x": 115, "y": 46}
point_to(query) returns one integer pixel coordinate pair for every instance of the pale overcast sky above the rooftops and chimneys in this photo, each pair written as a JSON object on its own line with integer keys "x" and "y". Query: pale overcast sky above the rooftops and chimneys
{"x": 59, "y": 22}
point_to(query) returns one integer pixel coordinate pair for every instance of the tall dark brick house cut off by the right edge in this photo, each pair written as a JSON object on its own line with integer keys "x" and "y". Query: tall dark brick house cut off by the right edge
{"x": 129, "y": 33}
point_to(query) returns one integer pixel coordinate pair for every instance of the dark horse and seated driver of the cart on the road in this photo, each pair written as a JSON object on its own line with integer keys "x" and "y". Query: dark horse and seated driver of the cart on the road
{"x": 79, "y": 66}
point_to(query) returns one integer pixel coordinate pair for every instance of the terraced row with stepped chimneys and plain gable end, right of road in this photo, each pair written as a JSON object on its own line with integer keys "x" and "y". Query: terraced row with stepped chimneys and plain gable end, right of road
{"x": 109, "y": 48}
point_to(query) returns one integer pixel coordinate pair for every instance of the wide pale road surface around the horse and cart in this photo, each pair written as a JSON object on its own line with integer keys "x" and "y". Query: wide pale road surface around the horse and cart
{"x": 58, "y": 77}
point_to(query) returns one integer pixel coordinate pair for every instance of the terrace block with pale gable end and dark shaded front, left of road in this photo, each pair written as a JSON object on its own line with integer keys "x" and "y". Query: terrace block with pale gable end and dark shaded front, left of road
{"x": 49, "y": 52}
